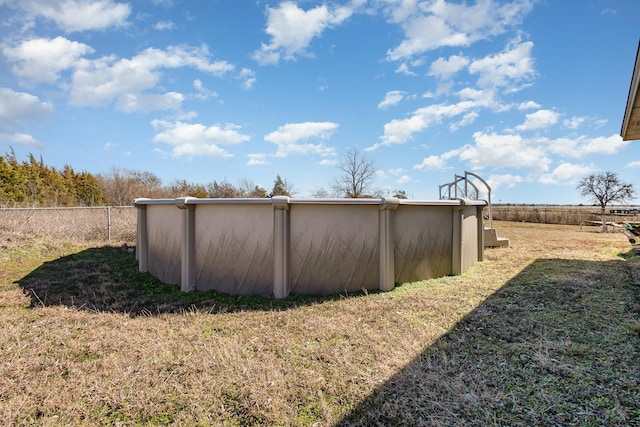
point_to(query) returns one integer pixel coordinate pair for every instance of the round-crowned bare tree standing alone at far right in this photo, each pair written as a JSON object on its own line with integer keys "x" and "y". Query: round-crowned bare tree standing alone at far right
{"x": 604, "y": 188}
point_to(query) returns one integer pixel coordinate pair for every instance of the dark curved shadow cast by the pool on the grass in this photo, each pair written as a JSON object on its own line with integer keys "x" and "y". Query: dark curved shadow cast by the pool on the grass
{"x": 107, "y": 279}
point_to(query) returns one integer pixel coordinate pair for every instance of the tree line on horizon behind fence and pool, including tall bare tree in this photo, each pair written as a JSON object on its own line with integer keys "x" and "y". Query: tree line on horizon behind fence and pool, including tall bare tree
{"x": 31, "y": 183}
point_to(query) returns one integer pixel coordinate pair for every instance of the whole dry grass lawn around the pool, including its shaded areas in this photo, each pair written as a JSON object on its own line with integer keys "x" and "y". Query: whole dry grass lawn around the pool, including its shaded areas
{"x": 541, "y": 333}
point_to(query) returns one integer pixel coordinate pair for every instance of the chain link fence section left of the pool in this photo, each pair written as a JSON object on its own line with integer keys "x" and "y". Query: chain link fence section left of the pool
{"x": 113, "y": 224}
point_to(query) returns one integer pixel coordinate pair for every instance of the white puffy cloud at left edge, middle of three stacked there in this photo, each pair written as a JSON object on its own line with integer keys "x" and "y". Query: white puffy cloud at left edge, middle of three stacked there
{"x": 42, "y": 60}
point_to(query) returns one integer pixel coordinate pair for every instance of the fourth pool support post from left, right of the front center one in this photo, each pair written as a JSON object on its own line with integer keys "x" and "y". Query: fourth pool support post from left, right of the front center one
{"x": 386, "y": 240}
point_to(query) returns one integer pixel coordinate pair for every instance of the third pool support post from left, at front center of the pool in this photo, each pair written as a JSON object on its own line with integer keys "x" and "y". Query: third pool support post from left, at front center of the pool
{"x": 281, "y": 246}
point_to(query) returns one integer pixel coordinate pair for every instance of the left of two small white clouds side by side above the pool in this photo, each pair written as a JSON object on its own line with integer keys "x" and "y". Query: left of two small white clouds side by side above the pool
{"x": 195, "y": 139}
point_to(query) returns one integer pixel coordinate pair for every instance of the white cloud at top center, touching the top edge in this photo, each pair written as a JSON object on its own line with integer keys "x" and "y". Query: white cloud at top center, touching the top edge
{"x": 292, "y": 29}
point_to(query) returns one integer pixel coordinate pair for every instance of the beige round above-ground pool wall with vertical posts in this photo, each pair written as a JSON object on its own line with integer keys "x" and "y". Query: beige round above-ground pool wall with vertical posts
{"x": 281, "y": 246}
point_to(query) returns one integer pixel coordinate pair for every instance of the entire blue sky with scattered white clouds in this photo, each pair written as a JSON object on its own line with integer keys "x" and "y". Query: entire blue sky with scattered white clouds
{"x": 529, "y": 94}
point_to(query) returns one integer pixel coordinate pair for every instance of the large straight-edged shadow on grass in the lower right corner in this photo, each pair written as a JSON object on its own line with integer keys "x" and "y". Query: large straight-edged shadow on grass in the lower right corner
{"x": 554, "y": 346}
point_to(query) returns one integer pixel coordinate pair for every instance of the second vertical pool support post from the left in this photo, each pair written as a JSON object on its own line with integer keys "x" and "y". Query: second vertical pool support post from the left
{"x": 188, "y": 250}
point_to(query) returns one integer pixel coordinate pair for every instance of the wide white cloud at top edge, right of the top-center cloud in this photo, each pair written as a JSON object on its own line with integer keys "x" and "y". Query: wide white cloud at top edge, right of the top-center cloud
{"x": 431, "y": 25}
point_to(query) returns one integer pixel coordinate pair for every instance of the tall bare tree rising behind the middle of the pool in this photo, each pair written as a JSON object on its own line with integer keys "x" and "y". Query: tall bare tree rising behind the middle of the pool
{"x": 357, "y": 174}
